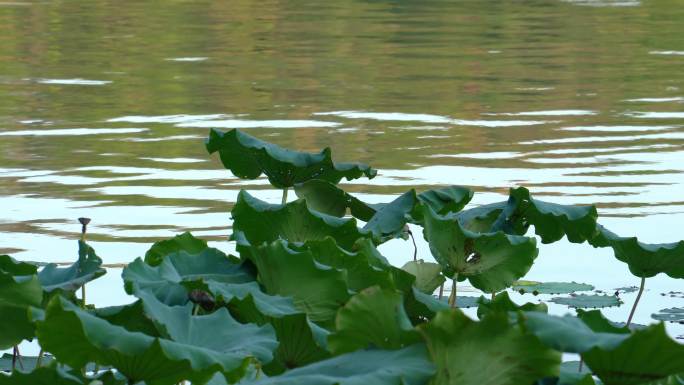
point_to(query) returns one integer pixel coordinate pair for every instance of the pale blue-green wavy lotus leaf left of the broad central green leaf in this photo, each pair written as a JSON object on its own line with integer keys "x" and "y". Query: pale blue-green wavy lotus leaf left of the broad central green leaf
{"x": 165, "y": 280}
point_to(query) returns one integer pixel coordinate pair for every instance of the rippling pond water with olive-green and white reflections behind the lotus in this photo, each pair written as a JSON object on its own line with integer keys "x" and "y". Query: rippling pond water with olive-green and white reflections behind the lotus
{"x": 104, "y": 108}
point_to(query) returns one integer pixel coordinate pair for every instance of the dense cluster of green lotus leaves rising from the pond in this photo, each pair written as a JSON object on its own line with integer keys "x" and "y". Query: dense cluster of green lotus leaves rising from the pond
{"x": 311, "y": 300}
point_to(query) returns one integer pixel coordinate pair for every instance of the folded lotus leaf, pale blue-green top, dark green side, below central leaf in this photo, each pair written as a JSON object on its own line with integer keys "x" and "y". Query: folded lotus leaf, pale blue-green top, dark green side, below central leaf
{"x": 301, "y": 342}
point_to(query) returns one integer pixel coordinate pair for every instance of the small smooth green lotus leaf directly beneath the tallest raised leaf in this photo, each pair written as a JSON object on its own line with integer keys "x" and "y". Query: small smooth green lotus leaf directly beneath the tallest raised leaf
{"x": 325, "y": 197}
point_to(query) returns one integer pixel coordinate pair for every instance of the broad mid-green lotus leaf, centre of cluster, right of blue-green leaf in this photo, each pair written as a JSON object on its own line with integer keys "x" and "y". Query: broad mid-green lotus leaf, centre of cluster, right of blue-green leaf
{"x": 318, "y": 290}
